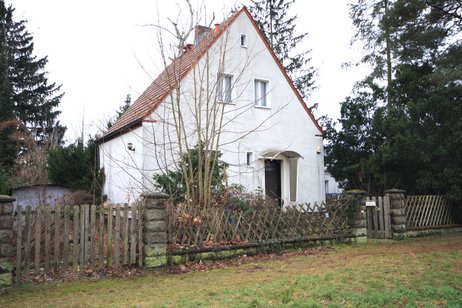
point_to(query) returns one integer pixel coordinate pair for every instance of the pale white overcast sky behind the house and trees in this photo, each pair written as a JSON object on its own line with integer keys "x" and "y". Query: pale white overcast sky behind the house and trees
{"x": 95, "y": 48}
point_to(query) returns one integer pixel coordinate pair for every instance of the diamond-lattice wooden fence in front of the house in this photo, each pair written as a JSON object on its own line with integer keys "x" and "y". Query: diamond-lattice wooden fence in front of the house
{"x": 217, "y": 226}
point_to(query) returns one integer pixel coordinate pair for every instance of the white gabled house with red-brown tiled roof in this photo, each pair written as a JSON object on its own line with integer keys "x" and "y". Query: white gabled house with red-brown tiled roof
{"x": 269, "y": 137}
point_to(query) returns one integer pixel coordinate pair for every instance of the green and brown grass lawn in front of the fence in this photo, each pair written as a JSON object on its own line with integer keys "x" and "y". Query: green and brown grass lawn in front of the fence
{"x": 422, "y": 272}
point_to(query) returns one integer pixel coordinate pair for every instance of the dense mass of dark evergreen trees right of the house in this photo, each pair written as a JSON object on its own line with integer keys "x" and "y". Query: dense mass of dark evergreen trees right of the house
{"x": 414, "y": 142}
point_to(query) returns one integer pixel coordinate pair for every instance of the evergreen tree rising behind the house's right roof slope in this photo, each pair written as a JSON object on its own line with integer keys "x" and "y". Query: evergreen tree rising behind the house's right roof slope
{"x": 272, "y": 16}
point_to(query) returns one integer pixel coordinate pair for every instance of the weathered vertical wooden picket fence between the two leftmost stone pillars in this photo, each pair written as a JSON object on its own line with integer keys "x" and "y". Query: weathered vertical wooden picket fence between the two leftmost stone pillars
{"x": 51, "y": 239}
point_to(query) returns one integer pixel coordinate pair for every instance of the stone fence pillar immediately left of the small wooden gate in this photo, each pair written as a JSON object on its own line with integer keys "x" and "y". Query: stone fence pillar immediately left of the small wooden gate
{"x": 359, "y": 227}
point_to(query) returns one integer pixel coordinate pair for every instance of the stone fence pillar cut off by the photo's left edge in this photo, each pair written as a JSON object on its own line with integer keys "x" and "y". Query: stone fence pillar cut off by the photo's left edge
{"x": 6, "y": 235}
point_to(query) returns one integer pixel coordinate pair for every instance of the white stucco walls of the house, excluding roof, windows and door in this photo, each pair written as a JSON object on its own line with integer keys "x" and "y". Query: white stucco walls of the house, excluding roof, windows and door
{"x": 282, "y": 126}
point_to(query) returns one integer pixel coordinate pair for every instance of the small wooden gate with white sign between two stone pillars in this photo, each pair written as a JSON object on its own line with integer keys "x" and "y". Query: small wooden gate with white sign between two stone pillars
{"x": 378, "y": 217}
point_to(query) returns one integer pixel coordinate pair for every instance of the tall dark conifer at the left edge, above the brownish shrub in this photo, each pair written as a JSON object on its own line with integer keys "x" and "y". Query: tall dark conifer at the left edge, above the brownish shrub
{"x": 28, "y": 93}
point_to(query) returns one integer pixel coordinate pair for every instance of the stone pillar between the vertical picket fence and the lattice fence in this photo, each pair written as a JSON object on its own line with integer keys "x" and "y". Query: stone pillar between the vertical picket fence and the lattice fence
{"x": 155, "y": 230}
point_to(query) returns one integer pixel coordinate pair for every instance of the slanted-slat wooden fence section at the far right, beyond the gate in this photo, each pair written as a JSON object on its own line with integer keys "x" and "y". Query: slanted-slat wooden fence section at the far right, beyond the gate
{"x": 429, "y": 211}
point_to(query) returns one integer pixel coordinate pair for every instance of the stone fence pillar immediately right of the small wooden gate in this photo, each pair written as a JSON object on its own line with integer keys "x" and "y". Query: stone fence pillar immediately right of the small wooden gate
{"x": 398, "y": 215}
